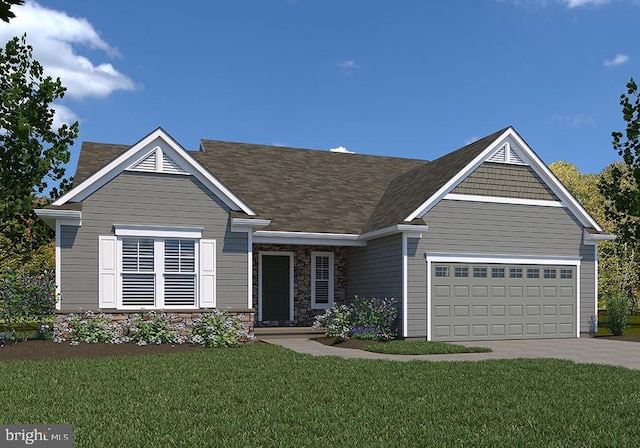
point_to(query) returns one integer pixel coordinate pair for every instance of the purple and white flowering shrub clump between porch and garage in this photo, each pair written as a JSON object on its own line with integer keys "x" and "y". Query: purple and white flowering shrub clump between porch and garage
{"x": 363, "y": 318}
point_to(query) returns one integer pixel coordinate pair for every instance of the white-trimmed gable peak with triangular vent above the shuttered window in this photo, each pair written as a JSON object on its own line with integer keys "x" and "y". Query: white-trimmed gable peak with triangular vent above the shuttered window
{"x": 160, "y": 152}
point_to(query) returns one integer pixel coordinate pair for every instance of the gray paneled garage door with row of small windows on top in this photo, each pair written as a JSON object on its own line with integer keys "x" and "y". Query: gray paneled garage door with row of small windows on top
{"x": 502, "y": 301}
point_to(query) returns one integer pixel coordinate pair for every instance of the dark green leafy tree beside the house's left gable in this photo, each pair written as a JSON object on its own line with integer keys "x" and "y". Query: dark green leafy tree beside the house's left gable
{"x": 32, "y": 154}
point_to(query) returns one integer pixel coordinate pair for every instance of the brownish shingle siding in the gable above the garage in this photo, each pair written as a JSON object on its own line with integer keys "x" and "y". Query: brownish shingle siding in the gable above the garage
{"x": 502, "y": 180}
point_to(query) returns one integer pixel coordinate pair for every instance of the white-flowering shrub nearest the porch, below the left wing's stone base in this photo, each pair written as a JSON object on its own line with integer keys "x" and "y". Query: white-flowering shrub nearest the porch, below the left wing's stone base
{"x": 219, "y": 329}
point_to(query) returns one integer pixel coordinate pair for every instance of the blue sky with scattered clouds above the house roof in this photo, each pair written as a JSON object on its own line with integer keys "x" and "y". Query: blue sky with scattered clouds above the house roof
{"x": 404, "y": 78}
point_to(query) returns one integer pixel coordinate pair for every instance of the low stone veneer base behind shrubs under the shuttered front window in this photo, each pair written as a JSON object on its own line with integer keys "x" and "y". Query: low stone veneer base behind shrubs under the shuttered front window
{"x": 179, "y": 318}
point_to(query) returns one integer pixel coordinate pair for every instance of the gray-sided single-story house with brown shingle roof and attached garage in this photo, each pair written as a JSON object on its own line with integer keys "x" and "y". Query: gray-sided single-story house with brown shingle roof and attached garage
{"x": 481, "y": 243}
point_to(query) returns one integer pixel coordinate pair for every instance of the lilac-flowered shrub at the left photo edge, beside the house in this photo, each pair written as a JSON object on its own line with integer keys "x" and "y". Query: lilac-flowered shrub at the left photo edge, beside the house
{"x": 27, "y": 298}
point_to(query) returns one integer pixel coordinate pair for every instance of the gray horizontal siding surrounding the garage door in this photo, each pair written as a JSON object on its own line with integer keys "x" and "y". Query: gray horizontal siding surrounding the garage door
{"x": 464, "y": 227}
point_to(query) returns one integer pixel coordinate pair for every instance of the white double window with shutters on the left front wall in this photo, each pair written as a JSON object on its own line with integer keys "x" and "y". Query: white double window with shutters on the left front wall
{"x": 156, "y": 268}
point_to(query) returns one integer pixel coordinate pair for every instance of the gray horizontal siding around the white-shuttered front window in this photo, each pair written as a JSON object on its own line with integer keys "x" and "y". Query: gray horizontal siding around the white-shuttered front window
{"x": 155, "y": 200}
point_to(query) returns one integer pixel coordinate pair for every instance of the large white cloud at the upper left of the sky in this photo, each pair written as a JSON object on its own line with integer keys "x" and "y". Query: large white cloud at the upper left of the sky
{"x": 55, "y": 37}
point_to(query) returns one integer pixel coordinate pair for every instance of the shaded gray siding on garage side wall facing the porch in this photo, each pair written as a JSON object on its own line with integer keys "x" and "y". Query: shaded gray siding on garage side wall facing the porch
{"x": 375, "y": 270}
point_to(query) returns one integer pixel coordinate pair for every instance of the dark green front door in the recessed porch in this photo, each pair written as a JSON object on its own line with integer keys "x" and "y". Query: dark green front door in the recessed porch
{"x": 276, "y": 288}
